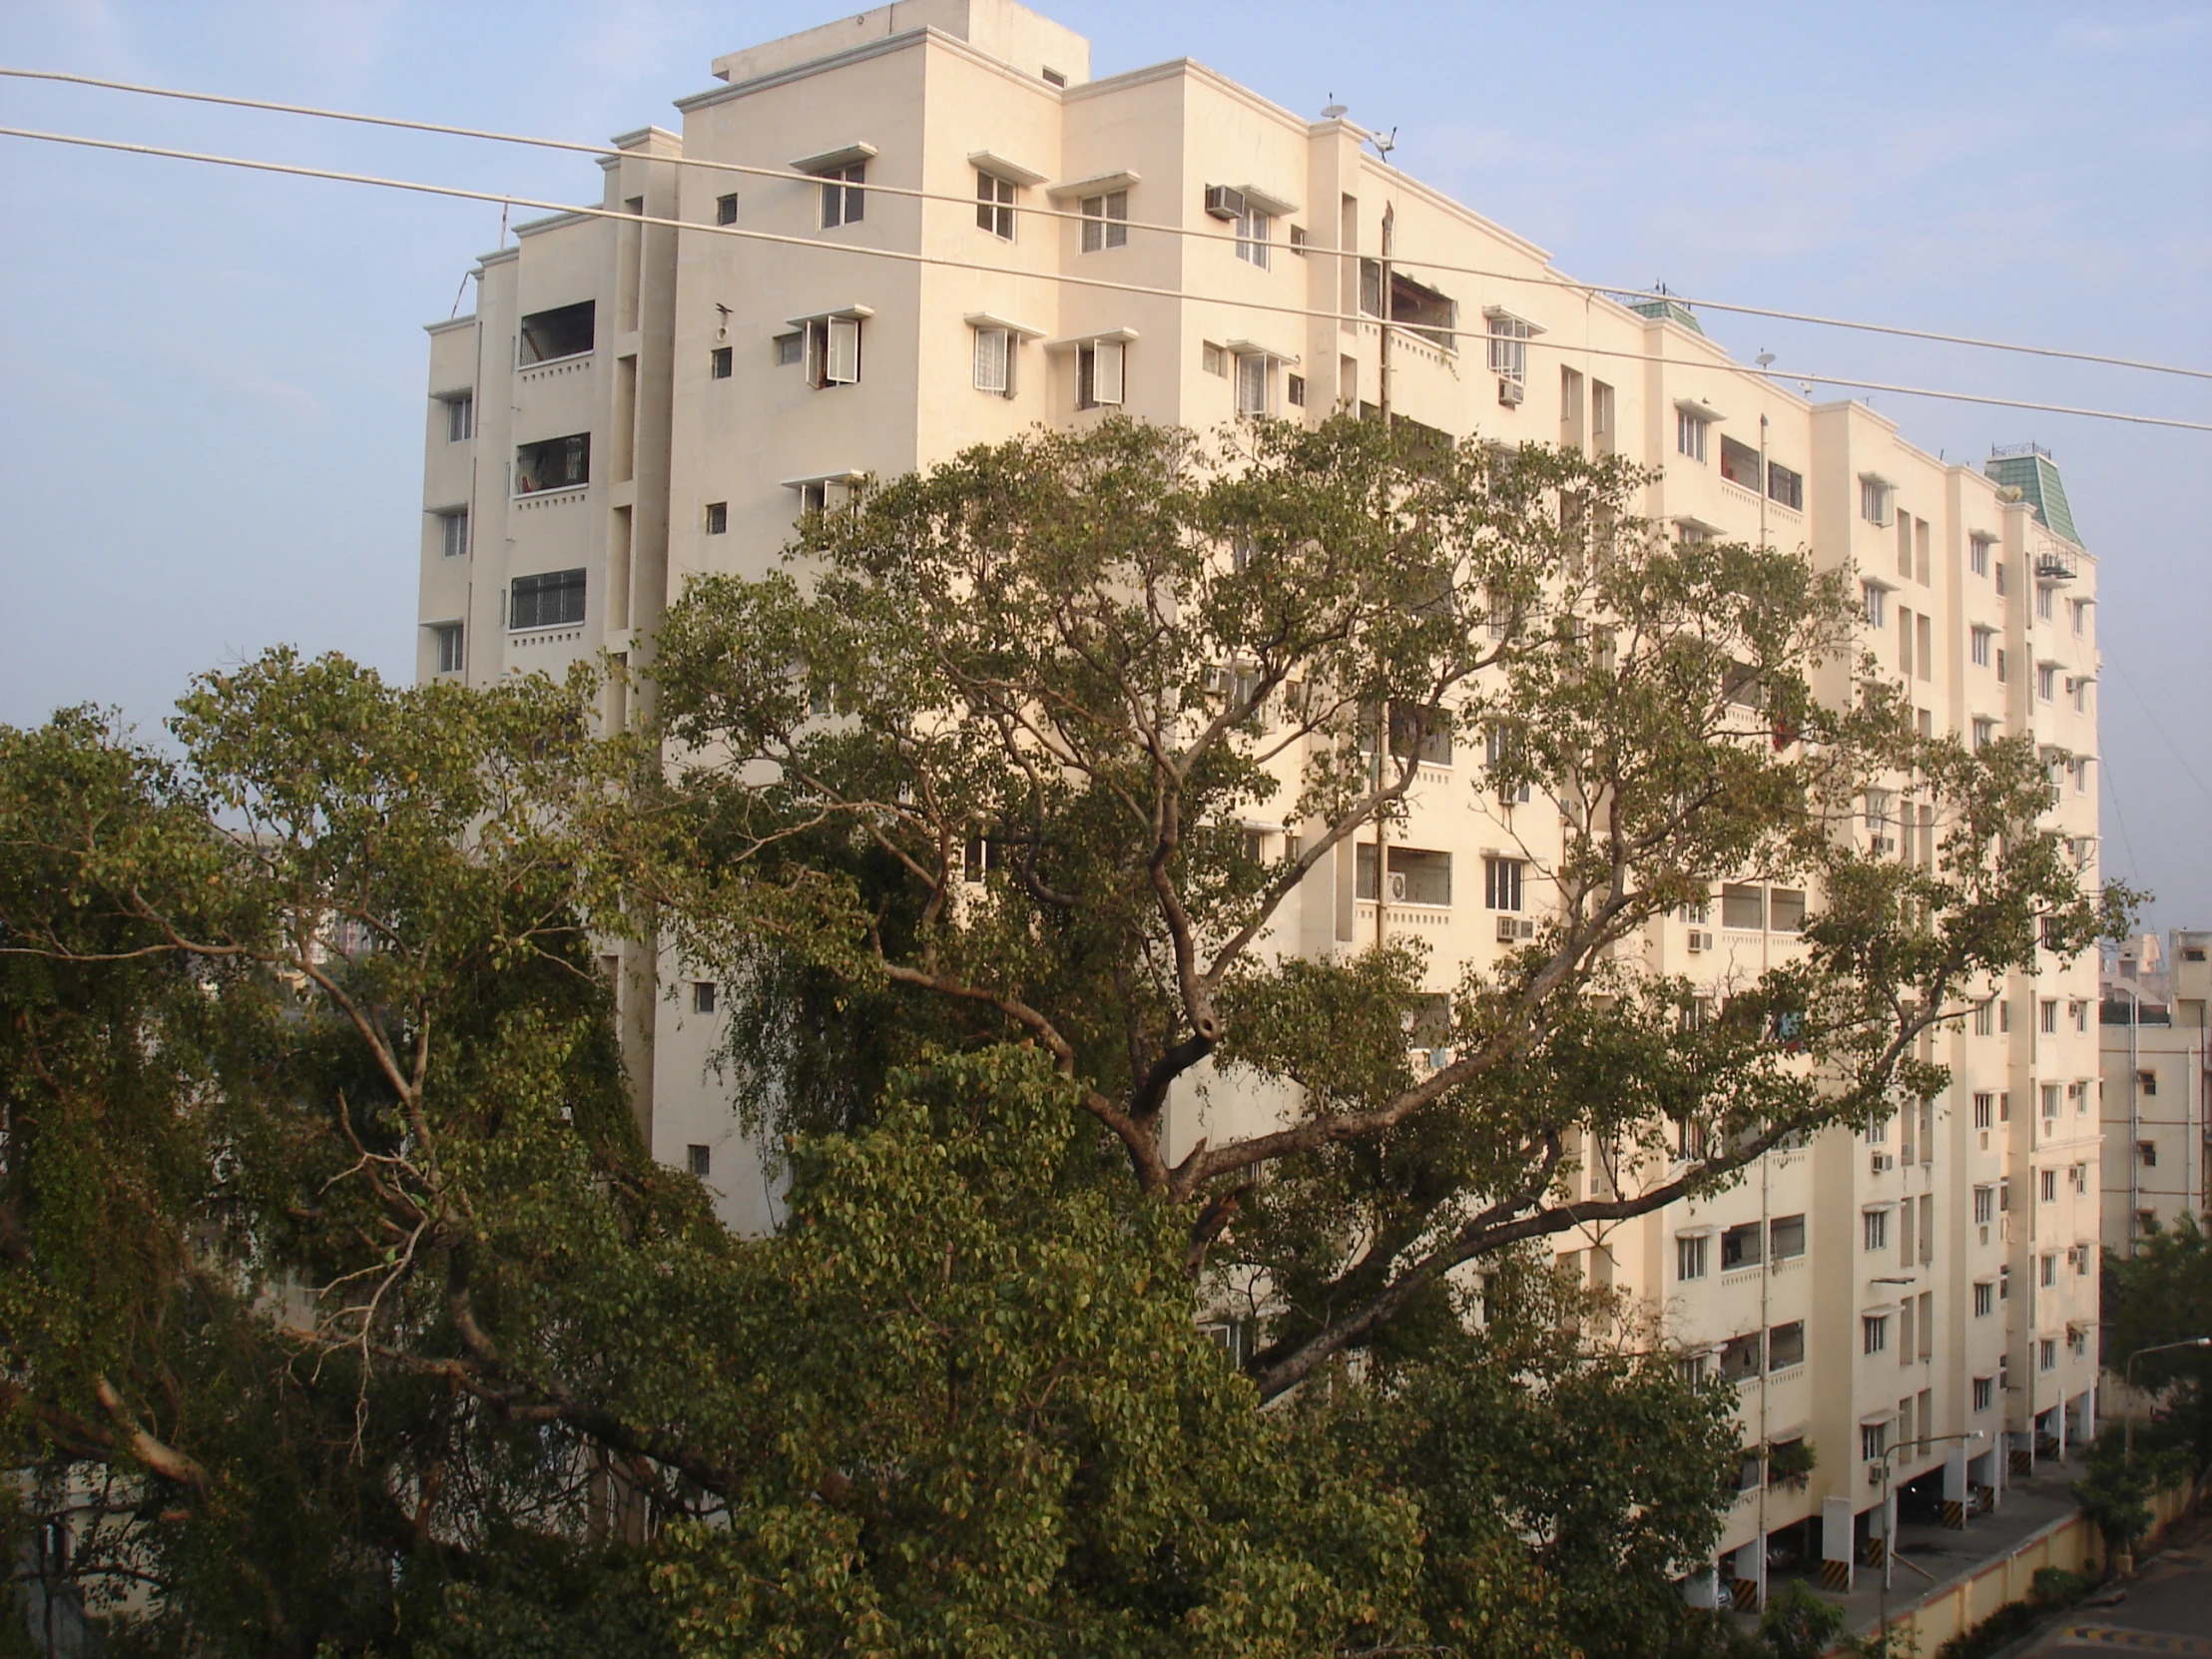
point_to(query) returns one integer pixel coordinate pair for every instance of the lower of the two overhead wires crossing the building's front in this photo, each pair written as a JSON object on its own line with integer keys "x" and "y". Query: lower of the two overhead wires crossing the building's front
{"x": 459, "y": 194}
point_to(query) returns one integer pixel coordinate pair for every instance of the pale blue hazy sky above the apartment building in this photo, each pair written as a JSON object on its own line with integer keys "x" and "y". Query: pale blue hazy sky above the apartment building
{"x": 211, "y": 384}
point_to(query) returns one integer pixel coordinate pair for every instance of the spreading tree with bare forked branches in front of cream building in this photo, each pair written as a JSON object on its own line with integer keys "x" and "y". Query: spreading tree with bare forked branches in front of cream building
{"x": 1074, "y": 667}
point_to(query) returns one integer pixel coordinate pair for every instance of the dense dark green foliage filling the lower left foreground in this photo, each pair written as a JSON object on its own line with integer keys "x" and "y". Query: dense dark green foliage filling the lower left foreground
{"x": 342, "y": 1308}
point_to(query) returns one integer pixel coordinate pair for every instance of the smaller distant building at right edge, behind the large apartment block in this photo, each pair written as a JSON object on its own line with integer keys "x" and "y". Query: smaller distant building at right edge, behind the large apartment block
{"x": 2156, "y": 1081}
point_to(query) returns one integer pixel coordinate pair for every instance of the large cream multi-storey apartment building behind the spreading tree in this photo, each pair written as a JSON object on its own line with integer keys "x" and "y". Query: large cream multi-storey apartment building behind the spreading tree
{"x": 634, "y": 406}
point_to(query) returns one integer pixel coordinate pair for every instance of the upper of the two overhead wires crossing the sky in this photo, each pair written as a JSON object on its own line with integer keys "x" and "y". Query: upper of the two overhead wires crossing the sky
{"x": 1547, "y": 280}
